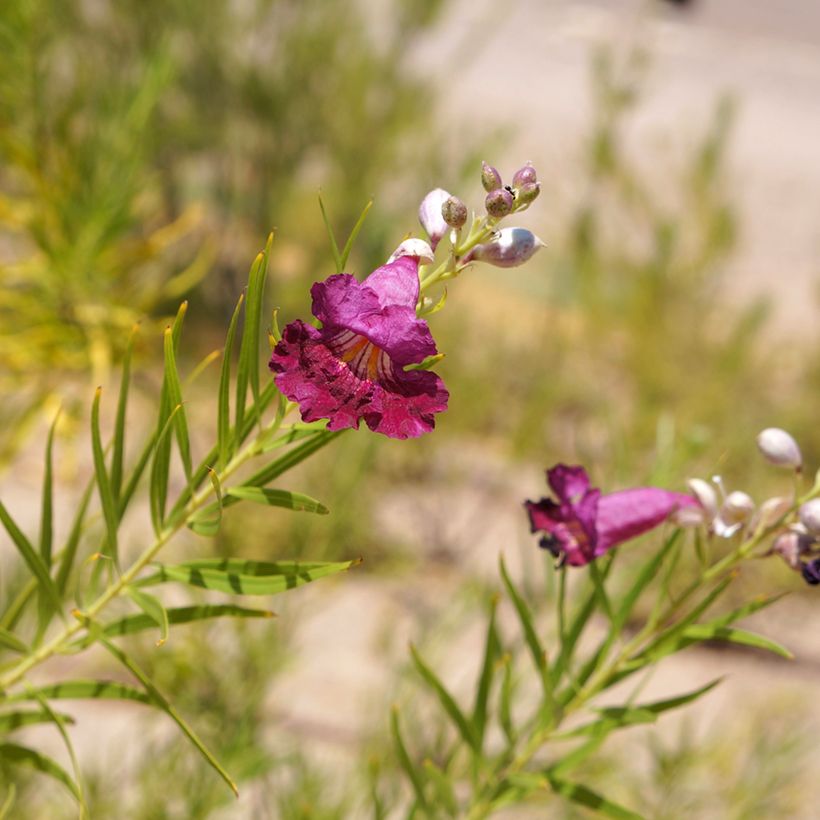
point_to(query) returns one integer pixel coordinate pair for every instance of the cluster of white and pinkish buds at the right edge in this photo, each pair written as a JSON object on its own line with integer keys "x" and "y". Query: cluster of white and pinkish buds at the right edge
{"x": 796, "y": 537}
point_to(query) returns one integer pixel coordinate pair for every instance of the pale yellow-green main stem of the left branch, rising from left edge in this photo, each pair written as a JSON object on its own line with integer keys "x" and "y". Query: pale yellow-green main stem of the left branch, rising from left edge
{"x": 61, "y": 640}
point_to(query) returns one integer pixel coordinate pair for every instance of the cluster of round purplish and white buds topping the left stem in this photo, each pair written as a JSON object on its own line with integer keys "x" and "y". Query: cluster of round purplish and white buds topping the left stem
{"x": 441, "y": 213}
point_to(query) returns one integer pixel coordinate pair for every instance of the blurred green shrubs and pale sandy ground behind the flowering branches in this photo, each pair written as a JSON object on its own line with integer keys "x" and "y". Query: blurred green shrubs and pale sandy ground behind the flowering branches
{"x": 147, "y": 148}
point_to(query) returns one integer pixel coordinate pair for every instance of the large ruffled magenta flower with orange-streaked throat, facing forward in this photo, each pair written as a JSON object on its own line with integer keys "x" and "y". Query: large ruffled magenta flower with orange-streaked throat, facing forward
{"x": 353, "y": 367}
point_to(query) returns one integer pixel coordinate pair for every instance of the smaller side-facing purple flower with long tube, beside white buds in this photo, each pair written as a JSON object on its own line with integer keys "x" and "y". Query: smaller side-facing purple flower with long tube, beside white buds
{"x": 582, "y": 524}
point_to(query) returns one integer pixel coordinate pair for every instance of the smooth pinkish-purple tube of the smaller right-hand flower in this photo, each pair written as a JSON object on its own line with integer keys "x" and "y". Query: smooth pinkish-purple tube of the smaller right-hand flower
{"x": 626, "y": 514}
